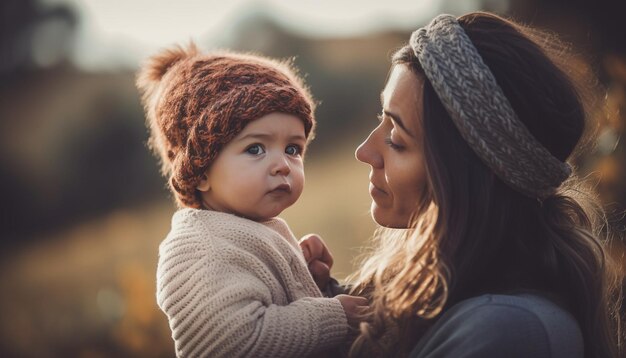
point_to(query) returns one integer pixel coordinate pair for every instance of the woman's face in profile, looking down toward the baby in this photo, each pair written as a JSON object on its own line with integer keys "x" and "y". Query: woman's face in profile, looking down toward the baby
{"x": 394, "y": 151}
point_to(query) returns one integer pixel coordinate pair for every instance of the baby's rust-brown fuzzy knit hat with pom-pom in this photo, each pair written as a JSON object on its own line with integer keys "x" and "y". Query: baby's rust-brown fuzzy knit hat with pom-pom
{"x": 196, "y": 103}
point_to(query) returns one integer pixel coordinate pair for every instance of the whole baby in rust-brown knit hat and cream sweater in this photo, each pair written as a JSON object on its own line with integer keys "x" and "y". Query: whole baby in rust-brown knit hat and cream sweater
{"x": 231, "y": 131}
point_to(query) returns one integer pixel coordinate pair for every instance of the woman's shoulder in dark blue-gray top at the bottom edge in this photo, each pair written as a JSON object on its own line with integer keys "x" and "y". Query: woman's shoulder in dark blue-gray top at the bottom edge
{"x": 524, "y": 325}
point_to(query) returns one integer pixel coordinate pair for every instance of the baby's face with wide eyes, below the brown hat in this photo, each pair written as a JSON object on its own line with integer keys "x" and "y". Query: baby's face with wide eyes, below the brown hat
{"x": 260, "y": 172}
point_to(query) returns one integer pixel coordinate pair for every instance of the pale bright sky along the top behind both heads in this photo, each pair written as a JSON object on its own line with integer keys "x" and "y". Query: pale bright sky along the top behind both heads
{"x": 114, "y": 33}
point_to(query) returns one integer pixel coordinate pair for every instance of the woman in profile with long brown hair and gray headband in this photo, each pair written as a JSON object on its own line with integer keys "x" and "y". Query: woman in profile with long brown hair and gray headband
{"x": 501, "y": 253}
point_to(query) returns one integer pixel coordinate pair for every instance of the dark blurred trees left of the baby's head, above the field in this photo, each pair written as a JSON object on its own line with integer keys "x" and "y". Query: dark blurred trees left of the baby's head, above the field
{"x": 71, "y": 143}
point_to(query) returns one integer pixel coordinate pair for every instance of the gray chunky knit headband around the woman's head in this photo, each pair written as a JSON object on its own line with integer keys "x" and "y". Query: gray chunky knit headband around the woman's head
{"x": 481, "y": 111}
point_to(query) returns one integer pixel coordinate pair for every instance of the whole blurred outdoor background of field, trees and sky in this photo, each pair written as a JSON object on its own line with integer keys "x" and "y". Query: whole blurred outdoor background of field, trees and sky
{"x": 82, "y": 206}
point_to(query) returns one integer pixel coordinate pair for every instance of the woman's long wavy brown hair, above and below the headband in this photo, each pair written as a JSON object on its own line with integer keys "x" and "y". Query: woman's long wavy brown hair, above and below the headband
{"x": 472, "y": 234}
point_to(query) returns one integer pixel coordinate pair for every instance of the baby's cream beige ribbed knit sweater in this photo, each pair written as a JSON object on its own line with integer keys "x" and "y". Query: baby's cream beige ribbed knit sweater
{"x": 232, "y": 287}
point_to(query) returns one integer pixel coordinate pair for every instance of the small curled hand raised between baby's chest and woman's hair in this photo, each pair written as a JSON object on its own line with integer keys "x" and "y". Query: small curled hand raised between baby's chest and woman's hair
{"x": 318, "y": 258}
